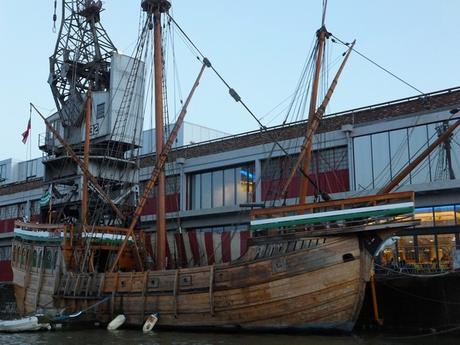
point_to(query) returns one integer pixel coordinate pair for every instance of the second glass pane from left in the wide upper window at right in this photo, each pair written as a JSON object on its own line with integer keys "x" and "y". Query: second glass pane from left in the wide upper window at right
{"x": 380, "y": 159}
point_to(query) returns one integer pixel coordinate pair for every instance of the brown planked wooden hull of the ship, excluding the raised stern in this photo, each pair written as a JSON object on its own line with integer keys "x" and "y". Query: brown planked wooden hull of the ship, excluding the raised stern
{"x": 295, "y": 285}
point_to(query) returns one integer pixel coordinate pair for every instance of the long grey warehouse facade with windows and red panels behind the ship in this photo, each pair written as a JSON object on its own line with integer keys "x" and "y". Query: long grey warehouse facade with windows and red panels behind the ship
{"x": 355, "y": 153}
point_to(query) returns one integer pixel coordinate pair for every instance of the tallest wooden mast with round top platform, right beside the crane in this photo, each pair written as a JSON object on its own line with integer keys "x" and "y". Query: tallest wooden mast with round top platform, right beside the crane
{"x": 156, "y": 8}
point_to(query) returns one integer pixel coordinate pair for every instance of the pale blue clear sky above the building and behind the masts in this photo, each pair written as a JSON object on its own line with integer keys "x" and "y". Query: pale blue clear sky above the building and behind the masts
{"x": 258, "y": 46}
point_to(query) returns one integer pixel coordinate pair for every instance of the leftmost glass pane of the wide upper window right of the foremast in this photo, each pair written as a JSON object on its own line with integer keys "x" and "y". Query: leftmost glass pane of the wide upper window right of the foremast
{"x": 362, "y": 159}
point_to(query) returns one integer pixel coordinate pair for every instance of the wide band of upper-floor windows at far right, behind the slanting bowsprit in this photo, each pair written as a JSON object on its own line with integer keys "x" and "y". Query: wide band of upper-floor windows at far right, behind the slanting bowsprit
{"x": 381, "y": 156}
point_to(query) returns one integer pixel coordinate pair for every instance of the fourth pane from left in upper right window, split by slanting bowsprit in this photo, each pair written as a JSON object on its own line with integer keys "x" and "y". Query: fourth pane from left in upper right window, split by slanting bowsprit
{"x": 418, "y": 141}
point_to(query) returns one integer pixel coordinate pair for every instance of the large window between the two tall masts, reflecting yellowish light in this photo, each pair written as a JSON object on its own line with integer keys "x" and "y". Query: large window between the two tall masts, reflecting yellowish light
{"x": 218, "y": 188}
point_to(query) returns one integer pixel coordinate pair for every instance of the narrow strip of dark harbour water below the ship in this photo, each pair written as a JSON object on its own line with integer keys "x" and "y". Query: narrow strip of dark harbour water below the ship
{"x": 101, "y": 336}
